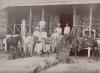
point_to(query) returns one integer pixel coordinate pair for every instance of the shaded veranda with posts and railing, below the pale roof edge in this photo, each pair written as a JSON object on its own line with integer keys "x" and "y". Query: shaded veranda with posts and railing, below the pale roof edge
{"x": 83, "y": 16}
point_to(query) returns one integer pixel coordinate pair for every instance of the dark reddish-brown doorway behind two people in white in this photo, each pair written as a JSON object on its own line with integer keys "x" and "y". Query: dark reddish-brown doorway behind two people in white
{"x": 66, "y": 18}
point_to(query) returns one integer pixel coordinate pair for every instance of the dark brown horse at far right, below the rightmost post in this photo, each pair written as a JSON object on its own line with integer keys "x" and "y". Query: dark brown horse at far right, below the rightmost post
{"x": 92, "y": 43}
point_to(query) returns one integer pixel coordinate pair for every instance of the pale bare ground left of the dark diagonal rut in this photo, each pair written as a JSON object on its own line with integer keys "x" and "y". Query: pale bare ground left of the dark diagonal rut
{"x": 26, "y": 65}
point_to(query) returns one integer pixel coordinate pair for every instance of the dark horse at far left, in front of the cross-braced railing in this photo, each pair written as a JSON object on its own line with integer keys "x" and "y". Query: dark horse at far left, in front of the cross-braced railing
{"x": 12, "y": 46}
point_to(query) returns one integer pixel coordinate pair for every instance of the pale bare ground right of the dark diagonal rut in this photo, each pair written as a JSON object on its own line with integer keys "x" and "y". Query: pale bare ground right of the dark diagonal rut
{"x": 82, "y": 65}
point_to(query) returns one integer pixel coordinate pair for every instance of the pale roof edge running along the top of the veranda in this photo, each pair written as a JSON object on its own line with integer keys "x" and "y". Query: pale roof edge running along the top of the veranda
{"x": 6, "y": 3}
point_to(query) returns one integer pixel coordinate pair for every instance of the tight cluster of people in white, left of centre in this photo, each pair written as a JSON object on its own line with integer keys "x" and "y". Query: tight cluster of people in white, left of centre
{"x": 39, "y": 37}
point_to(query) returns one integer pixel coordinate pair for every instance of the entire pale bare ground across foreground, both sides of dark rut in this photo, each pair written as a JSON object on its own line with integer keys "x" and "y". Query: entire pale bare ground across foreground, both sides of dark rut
{"x": 28, "y": 65}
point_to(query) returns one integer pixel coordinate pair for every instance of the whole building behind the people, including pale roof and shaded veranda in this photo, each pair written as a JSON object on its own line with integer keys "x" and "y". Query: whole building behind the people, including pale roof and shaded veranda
{"x": 85, "y": 13}
